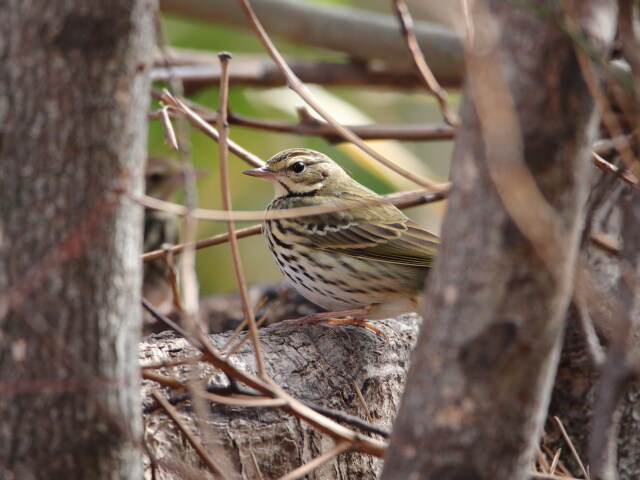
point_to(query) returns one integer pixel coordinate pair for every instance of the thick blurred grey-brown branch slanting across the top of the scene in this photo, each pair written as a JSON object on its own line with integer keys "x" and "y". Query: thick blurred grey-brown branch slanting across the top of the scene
{"x": 338, "y": 28}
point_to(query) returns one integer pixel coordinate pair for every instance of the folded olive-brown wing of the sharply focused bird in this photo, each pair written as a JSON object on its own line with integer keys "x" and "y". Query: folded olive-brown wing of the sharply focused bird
{"x": 380, "y": 233}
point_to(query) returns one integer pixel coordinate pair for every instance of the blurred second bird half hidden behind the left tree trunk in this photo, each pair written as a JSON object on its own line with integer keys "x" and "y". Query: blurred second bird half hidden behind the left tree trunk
{"x": 163, "y": 176}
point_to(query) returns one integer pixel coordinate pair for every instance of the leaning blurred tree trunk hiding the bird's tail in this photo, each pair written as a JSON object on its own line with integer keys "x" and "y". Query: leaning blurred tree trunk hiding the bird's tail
{"x": 483, "y": 367}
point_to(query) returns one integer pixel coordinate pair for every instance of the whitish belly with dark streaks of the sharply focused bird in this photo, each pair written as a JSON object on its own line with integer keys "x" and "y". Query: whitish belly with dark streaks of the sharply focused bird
{"x": 339, "y": 282}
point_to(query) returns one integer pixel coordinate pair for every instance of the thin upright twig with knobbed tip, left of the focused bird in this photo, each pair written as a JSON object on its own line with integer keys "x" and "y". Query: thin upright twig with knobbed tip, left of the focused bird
{"x": 223, "y": 130}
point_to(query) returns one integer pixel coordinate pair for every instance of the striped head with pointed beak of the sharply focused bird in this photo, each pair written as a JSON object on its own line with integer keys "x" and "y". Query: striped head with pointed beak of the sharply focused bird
{"x": 302, "y": 172}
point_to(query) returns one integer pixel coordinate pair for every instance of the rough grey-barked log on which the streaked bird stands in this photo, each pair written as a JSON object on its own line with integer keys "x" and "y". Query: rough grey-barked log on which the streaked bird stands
{"x": 312, "y": 363}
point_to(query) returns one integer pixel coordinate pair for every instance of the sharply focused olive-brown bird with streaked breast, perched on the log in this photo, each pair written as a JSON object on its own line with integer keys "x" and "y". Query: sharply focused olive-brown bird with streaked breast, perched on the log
{"x": 367, "y": 262}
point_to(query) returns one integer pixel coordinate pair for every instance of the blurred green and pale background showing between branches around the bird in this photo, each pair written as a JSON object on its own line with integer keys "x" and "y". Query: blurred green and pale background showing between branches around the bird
{"x": 350, "y": 105}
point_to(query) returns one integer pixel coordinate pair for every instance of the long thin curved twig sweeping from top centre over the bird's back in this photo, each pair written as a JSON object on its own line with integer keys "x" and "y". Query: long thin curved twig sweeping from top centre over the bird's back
{"x": 297, "y": 86}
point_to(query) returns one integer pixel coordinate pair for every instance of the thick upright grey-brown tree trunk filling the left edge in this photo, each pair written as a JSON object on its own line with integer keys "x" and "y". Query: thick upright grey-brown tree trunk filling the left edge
{"x": 73, "y": 94}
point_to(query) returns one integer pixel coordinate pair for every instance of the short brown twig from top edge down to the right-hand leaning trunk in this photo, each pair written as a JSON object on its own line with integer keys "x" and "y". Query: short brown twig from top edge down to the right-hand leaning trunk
{"x": 406, "y": 22}
